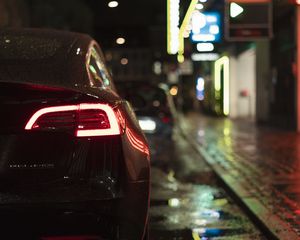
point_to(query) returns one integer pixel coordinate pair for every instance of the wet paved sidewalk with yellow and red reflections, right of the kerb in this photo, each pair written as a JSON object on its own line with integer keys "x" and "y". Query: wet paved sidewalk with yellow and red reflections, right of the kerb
{"x": 260, "y": 166}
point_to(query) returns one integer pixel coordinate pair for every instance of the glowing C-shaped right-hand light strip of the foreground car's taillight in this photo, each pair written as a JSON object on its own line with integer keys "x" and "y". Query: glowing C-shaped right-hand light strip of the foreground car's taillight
{"x": 114, "y": 126}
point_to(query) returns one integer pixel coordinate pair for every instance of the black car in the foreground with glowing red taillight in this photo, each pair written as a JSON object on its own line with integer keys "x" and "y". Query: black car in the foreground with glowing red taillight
{"x": 73, "y": 159}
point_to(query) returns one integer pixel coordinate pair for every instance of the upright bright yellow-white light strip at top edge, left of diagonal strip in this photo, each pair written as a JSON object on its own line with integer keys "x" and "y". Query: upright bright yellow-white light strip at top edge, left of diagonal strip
{"x": 172, "y": 26}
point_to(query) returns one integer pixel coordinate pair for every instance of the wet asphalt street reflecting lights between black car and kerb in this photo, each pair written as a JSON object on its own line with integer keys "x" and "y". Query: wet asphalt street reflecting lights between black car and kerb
{"x": 188, "y": 201}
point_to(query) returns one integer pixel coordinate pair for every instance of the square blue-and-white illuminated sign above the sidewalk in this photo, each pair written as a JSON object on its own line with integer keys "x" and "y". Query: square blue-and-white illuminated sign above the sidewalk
{"x": 206, "y": 27}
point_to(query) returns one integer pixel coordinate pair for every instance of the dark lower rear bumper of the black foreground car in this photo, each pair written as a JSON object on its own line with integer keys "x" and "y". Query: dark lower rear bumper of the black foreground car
{"x": 126, "y": 215}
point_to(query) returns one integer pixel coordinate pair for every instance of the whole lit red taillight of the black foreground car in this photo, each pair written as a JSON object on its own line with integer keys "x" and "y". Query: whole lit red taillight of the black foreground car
{"x": 87, "y": 119}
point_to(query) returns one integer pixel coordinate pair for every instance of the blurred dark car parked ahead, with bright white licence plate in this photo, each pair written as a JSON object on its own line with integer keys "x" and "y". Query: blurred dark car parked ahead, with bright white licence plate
{"x": 156, "y": 113}
